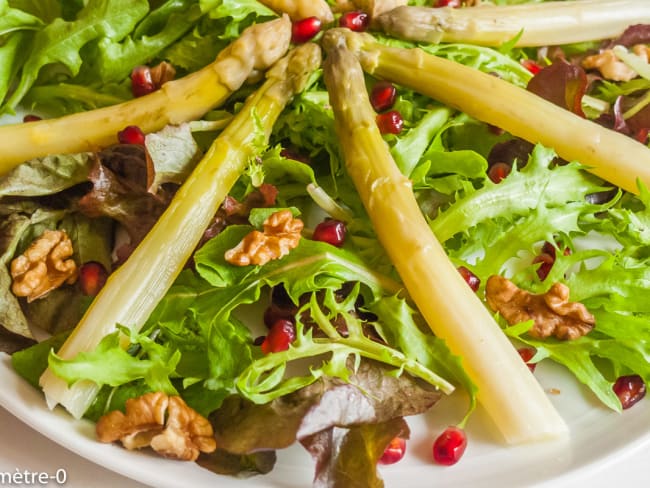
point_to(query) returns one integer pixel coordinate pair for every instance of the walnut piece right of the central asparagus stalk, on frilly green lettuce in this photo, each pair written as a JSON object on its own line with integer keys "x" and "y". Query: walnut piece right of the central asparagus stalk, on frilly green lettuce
{"x": 552, "y": 312}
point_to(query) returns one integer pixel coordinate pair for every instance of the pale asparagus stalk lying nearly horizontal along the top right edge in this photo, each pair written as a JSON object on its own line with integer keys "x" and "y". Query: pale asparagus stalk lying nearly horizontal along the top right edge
{"x": 559, "y": 22}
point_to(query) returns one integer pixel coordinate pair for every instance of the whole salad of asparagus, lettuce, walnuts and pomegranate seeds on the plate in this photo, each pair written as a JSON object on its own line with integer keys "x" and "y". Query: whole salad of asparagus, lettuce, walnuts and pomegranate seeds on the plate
{"x": 230, "y": 226}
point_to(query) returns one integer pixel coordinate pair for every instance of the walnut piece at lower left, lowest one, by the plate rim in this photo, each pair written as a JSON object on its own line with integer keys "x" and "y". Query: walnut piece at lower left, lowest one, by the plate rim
{"x": 163, "y": 422}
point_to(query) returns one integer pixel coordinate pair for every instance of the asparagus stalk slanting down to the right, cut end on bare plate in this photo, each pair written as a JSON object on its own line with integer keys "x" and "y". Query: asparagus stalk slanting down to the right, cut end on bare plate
{"x": 449, "y": 306}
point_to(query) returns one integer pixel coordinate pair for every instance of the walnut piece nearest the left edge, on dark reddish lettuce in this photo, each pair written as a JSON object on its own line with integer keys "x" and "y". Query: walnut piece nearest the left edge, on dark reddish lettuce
{"x": 44, "y": 266}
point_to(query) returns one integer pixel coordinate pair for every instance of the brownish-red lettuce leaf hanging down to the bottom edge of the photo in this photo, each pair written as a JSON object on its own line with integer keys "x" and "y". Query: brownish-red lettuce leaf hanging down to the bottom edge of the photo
{"x": 347, "y": 457}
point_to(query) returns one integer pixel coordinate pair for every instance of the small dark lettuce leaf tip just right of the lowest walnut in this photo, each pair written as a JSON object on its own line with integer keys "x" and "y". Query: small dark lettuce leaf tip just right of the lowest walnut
{"x": 239, "y": 465}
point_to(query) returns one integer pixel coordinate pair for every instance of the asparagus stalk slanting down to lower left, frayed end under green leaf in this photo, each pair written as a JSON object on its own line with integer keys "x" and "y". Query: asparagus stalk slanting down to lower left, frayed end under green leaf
{"x": 132, "y": 292}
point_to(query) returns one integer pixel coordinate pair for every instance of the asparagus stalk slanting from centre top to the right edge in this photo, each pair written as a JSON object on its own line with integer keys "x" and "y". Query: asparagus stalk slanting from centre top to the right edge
{"x": 609, "y": 154}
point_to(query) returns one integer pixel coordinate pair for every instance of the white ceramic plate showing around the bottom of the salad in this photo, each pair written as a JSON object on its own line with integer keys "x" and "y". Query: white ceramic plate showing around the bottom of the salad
{"x": 597, "y": 437}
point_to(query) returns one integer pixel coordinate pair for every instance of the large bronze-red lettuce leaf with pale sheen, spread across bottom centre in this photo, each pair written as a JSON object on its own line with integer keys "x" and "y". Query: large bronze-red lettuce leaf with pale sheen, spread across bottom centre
{"x": 373, "y": 395}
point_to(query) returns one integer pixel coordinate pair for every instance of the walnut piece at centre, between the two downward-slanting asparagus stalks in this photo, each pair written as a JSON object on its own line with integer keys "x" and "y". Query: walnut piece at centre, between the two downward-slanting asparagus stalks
{"x": 281, "y": 234}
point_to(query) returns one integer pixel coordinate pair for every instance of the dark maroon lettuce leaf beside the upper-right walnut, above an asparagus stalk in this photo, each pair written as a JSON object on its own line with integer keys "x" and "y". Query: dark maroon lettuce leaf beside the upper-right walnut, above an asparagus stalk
{"x": 561, "y": 83}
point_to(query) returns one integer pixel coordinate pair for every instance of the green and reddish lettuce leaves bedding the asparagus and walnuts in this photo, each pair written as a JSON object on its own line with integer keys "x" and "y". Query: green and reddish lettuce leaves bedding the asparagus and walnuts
{"x": 358, "y": 337}
